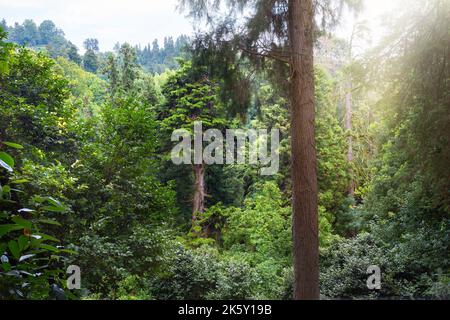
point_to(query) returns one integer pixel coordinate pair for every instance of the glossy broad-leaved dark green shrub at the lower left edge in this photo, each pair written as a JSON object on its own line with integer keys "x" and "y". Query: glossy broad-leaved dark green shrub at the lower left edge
{"x": 31, "y": 259}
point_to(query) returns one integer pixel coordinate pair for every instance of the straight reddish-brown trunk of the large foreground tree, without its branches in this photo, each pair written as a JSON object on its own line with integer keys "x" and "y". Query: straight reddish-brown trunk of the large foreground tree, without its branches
{"x": 304, "y": 158}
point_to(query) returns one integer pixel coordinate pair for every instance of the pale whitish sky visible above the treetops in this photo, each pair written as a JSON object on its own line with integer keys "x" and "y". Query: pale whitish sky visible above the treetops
{"x": 133, "y": 21}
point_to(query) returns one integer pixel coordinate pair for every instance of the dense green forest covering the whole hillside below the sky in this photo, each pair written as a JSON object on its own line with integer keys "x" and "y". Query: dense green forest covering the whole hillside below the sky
{"x": 88, "y": 180}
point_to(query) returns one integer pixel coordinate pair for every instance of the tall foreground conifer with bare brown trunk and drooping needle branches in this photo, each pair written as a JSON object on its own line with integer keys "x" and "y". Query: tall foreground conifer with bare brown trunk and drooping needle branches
{"x": 280, "y": 34}
